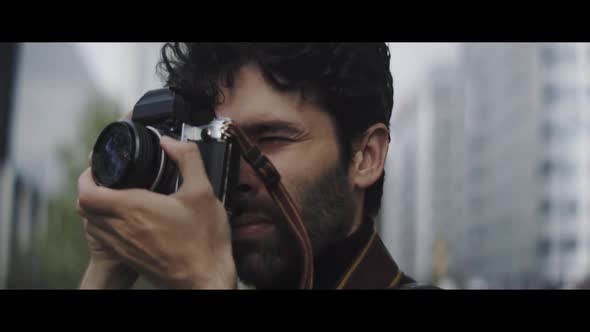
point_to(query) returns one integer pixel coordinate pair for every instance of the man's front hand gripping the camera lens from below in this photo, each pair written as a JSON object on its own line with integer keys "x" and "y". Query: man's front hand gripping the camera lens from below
{"x": 178, "y": 241}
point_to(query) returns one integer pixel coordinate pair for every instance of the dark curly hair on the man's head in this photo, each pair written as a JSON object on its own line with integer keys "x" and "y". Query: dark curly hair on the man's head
{"x": 350, "y": 81}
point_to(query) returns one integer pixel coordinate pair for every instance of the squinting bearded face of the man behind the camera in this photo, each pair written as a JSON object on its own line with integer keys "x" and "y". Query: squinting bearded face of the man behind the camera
{"x": 301, "y": 142}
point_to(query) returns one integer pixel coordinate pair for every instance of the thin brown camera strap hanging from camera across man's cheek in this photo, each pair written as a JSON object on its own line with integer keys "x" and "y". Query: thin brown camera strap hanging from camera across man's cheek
{"x": 272, "y": 181}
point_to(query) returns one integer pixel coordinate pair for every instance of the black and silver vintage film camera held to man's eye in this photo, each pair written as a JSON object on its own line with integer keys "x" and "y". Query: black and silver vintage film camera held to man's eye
{"x": 127, "y": 154}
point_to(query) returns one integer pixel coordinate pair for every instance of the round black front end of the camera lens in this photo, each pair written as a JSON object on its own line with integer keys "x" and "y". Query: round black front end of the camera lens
{"x": 127, "y": 155}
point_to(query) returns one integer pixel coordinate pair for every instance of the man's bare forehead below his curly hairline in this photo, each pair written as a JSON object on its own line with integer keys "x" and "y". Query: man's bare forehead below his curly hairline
{"x": 252, "y": 100}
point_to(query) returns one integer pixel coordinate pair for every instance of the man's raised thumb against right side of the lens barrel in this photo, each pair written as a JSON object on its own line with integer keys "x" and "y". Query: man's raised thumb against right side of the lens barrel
{"x": 190, "y": 164}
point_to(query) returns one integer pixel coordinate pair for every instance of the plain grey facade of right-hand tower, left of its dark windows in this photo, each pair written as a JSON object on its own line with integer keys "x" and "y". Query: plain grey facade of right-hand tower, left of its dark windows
{"x": 501, "y": 133}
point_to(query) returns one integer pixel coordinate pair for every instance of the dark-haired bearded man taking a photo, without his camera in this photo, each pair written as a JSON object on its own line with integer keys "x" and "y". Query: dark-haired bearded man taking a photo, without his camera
{"x": 320, "y": 113}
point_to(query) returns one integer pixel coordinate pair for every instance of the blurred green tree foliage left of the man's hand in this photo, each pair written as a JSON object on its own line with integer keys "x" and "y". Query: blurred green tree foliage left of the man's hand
{"x": 62, "y": 250}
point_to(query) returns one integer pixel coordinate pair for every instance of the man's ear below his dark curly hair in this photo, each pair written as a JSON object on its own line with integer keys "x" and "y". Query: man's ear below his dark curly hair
{"x": 370, "y": 153}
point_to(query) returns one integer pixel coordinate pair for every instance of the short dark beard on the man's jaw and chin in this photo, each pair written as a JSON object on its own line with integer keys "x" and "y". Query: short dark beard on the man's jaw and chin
{"x": 326, "y": 205}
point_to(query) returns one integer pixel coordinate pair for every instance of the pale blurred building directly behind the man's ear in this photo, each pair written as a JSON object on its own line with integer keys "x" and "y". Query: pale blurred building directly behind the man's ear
{"x": 424, "y": 180}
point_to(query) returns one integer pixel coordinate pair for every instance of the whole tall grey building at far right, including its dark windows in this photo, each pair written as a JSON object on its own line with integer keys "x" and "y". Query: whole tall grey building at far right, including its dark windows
{"x": 528, "y": 173}
